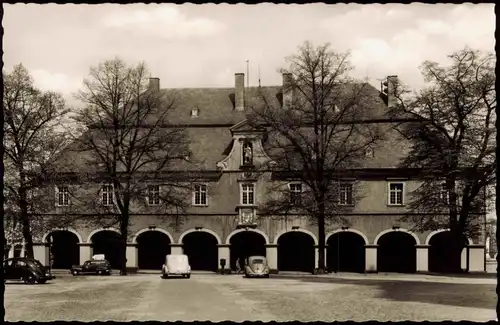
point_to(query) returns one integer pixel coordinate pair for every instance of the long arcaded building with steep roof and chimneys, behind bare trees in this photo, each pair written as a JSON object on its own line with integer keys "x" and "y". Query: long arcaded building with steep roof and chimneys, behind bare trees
{"x": 223, "y": 221}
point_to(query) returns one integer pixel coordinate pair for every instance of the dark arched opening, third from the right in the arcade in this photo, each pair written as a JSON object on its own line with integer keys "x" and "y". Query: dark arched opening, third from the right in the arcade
{"x": 346, "y": 252}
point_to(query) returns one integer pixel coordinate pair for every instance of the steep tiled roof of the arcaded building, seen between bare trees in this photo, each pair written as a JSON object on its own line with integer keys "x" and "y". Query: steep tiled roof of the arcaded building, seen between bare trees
{"x": 210, "y": 132}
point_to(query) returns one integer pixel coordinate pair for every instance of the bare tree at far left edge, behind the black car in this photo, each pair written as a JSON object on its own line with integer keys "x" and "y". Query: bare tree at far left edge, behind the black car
{"x": 32, "y": 138}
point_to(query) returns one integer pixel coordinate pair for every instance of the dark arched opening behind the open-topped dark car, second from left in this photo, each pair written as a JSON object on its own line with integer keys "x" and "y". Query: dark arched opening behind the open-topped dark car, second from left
{"x": 107, "y": 242}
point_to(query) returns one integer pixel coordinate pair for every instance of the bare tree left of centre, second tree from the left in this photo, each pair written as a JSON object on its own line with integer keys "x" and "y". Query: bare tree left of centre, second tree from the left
{"x": 131, "y": 145}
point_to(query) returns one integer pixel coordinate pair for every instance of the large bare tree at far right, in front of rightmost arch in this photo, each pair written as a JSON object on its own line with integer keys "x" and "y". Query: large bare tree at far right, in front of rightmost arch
{"x": 453, "y": 145}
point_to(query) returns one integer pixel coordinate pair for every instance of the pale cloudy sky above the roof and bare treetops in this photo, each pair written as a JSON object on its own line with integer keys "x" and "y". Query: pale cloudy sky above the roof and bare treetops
{"x": 204, "y": 45}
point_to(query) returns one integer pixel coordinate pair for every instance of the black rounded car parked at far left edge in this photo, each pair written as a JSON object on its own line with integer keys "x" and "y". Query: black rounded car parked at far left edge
{"x": 27, "y": 269}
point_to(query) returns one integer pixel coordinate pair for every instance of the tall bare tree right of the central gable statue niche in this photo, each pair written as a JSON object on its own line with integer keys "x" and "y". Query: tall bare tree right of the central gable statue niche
{"x": 317, "y": 137}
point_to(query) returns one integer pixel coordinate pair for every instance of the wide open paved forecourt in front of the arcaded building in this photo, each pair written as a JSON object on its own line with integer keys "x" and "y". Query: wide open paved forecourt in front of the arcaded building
{"x": 232, "y": 297}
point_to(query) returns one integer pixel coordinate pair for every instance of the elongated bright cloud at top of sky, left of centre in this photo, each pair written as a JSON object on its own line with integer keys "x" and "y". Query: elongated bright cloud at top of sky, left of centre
{"x": 164, "y": 21}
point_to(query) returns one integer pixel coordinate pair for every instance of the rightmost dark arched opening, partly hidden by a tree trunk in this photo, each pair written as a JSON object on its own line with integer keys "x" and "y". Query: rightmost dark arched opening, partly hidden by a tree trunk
{"x": 440, "y": 259}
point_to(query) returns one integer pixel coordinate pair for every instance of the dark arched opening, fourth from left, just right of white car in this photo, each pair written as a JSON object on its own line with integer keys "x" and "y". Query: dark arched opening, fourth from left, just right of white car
{"x": 201, "y": 248}
